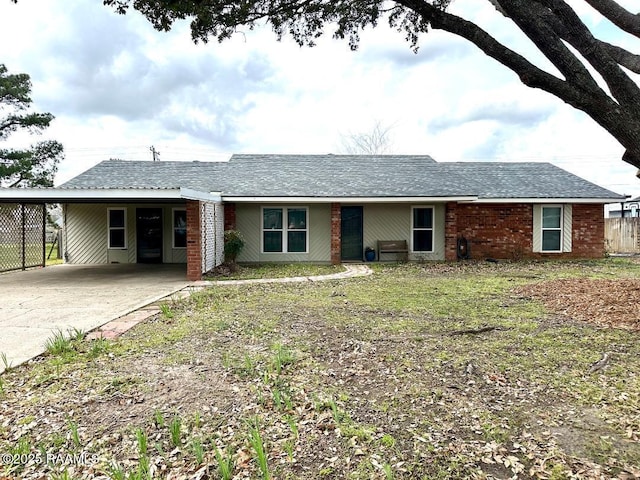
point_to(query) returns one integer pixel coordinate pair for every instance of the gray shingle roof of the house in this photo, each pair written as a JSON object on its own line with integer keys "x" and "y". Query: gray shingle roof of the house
{"x": 346, "y": 176}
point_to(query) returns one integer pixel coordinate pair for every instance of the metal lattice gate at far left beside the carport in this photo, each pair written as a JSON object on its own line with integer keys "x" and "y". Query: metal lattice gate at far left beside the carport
{"x": 22, "y": 236}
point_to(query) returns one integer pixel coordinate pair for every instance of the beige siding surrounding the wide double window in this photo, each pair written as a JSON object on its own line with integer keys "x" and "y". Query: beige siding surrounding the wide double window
{"x": 248, "y": 222}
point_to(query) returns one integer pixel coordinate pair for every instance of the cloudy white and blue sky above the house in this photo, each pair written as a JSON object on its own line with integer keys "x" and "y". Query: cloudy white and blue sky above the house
{"x": 117, "y": 87}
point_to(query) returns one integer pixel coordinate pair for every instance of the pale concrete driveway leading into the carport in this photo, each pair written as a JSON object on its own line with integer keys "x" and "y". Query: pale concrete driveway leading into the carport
{"x": 36, "y": 303}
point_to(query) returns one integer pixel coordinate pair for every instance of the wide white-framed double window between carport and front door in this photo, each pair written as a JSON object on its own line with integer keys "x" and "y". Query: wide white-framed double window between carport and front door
{"x": 284, "y": 230}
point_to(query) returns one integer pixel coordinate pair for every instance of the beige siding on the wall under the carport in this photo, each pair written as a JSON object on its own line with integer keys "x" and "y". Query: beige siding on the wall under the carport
{"x": 86, "y": 234}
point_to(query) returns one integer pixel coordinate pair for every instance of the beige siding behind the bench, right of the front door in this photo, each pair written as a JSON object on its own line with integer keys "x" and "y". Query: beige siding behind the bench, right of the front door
{"x": 394, "y": 222}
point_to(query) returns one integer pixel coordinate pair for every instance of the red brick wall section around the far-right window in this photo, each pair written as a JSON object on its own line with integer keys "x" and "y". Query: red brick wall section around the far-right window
{"x": 505, "y": 231}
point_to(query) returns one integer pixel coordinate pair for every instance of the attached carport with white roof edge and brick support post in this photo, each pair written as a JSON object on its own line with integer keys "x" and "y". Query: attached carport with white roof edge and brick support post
{"x": 90, "y": 216}
